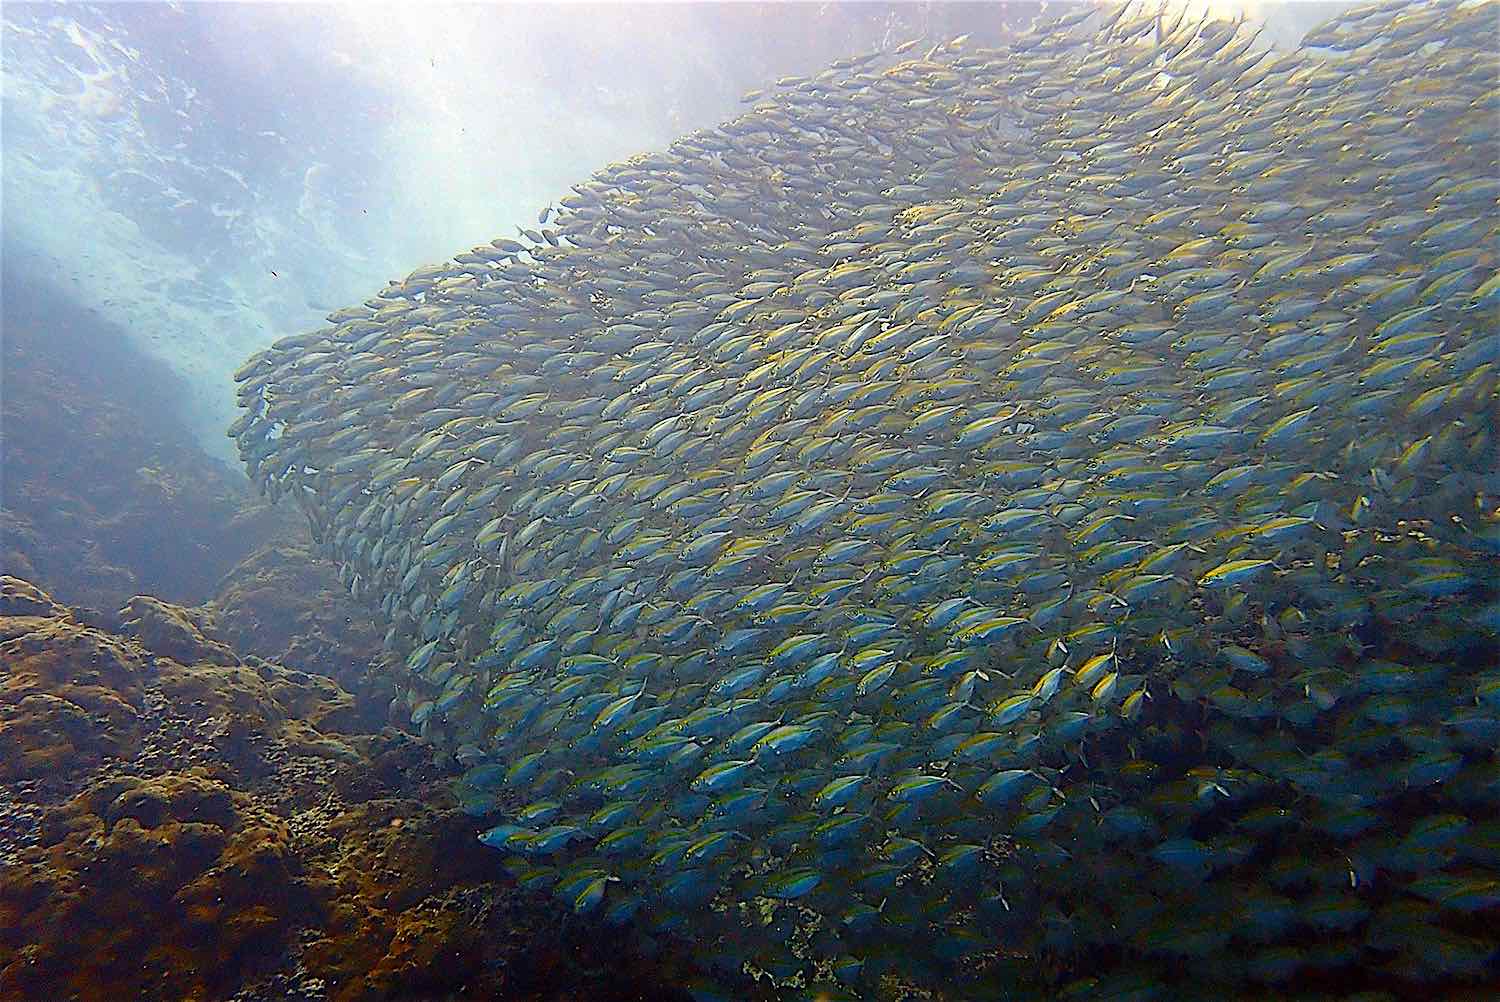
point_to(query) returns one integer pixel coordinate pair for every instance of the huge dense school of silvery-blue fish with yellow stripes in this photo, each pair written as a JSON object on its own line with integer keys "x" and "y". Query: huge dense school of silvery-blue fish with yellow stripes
{"x": 991, "y": 520}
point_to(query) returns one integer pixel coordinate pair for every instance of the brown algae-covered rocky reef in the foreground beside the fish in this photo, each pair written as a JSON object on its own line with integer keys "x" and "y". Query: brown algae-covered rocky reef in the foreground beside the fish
{"x": 179, "y": 820}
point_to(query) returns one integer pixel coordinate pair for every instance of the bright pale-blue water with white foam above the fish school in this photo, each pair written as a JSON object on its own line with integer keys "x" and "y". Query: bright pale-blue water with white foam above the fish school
{"x": 217, "y": 176}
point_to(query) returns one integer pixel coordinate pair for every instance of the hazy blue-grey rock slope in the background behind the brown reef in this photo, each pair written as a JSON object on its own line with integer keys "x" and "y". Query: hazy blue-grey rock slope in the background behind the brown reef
{"x": 107, "y": 493}
